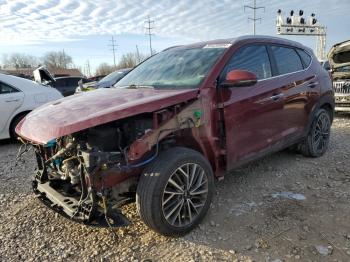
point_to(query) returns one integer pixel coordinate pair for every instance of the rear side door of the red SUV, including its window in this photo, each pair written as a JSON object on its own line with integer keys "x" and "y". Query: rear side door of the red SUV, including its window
{"x": 299, "y": 87}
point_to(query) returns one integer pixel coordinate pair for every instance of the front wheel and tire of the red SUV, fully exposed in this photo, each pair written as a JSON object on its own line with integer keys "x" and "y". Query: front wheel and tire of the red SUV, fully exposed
{"x": 175, "y": 191}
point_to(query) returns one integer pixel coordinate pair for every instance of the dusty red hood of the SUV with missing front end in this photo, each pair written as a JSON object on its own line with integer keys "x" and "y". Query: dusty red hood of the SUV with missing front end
{"x": 89, "y": 109}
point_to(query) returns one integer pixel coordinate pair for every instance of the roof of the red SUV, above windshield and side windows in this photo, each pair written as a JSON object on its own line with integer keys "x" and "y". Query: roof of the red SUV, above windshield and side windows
{"x": 248, "y": 38}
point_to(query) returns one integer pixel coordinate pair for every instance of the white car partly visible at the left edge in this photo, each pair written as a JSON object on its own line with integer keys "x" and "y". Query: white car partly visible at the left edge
{"x": 19, "y": 96}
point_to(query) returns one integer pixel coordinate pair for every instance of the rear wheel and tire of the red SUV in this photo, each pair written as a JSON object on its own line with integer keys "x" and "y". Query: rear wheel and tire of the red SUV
{"x": 317, "y": 140}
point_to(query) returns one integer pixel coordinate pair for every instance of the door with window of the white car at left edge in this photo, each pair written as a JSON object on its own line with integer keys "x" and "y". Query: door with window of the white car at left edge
{"x": 10, "y": 100}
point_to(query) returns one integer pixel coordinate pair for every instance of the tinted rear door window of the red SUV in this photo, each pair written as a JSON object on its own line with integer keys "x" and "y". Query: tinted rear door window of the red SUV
{"x": 287, "y": 59}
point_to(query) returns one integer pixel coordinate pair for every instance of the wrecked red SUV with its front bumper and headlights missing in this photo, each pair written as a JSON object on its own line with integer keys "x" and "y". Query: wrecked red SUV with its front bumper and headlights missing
{"x": 177, "y": 121}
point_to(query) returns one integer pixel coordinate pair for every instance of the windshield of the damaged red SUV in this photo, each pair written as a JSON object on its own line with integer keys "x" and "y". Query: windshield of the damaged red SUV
{"x": 174, "y": 68}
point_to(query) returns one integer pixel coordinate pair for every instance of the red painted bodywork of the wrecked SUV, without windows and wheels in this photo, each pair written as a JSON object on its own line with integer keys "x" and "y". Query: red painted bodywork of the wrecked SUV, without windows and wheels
{"x": 254, "y": 123}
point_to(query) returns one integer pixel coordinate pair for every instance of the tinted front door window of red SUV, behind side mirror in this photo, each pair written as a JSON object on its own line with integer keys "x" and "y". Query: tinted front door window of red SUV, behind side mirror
{"x": 253, "y": 58}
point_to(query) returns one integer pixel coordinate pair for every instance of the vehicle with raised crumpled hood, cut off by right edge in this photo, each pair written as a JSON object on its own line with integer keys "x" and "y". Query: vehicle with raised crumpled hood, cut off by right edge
{"x": 339, "y": 60}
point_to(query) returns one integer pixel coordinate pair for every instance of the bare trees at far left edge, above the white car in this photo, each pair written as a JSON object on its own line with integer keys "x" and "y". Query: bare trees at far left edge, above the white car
{"x": 19, "y": 60}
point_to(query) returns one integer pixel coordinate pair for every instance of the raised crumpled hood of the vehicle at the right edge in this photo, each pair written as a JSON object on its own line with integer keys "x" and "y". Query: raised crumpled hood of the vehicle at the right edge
{"x": 339, "y": 55}
